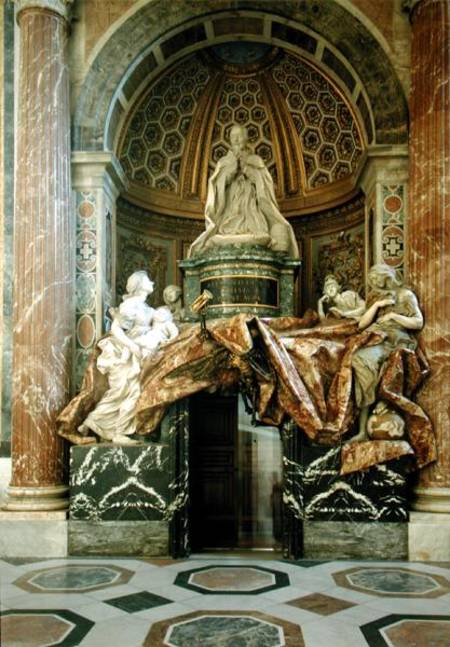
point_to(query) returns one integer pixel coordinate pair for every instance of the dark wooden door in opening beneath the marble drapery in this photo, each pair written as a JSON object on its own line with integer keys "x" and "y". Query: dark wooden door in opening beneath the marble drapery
{"x": 213, "y": 472}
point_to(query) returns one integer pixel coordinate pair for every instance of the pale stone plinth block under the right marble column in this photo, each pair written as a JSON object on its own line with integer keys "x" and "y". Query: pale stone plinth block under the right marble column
{"x": 429, "y": 537}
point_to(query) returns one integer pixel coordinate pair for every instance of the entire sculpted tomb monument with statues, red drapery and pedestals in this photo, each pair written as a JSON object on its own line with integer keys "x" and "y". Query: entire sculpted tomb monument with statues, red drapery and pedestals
{"x": 337, "y": 383}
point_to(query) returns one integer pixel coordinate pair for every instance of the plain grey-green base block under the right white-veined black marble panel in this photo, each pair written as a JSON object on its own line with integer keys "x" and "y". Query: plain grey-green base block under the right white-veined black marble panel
{"x": 351, "y": 540}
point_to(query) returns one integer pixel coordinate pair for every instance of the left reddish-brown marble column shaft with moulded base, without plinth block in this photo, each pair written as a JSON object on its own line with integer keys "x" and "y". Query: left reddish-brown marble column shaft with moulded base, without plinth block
{"x": 43, "y": 311}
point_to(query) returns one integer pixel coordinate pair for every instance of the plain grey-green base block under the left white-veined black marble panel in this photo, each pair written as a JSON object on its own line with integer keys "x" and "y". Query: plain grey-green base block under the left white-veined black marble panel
{"x": 142, "y": 538}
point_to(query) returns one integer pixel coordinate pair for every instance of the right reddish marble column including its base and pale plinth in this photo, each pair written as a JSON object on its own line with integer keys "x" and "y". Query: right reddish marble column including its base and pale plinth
{"x": 428, "y": 261}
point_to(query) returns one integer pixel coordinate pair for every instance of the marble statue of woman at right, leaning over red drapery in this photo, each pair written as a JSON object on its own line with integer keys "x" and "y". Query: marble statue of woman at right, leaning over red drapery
{"x": 393, "y": 311}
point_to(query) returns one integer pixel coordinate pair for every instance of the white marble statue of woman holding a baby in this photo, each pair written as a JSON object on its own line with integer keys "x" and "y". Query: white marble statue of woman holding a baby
{"x": 136, "y": 333}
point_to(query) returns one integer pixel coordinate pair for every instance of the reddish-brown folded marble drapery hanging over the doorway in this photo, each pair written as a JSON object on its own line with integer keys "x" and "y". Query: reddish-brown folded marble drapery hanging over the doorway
{"x": 294, "y": 367}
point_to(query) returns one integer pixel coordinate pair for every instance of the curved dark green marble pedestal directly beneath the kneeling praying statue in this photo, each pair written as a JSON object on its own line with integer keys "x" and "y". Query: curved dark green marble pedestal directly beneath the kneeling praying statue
{"x": 242, "y": 279}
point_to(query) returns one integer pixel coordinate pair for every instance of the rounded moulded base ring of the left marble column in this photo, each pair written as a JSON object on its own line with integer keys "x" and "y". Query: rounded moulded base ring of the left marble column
{"x": 44, "y": 498}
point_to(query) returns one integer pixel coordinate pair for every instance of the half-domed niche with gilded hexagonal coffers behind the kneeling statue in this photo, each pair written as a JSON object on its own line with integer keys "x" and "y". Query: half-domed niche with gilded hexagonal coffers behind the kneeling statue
{"x": 298, "y": 120}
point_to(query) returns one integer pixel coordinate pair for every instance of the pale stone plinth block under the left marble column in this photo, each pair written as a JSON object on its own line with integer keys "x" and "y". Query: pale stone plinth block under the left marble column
{"x": 33, "y": 534}
